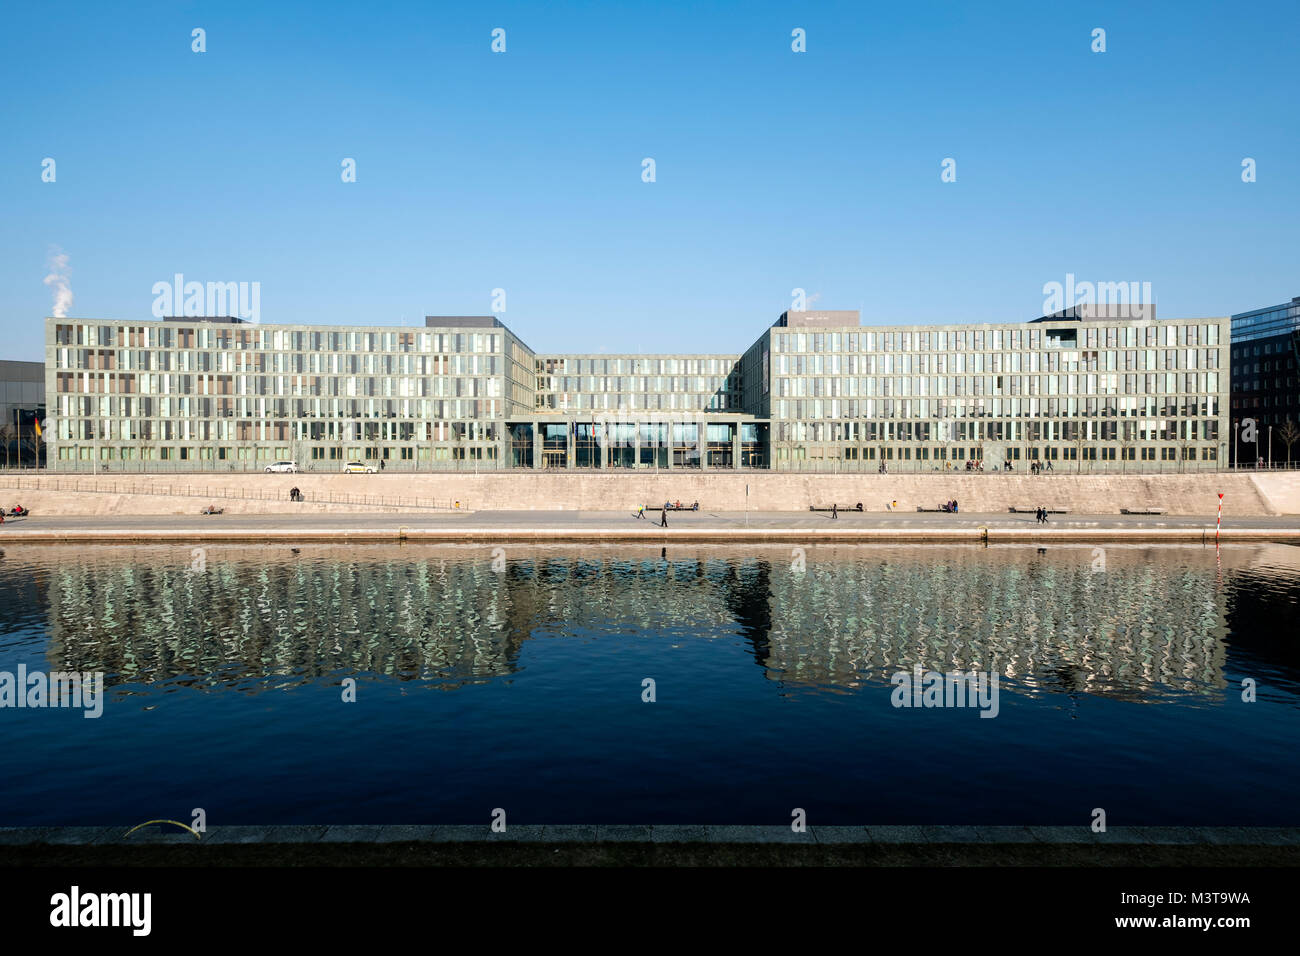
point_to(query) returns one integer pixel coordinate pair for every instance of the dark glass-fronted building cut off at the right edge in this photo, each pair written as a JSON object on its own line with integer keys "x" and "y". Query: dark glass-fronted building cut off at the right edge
{"x": 1266, "y": 386}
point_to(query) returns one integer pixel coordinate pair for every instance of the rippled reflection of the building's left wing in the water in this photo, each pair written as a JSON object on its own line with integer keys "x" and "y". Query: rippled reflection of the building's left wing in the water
{"x": 148, "y": 621}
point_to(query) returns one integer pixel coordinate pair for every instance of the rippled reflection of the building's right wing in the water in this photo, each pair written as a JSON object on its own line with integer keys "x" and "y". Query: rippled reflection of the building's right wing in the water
{"x": 1048, "y": 622}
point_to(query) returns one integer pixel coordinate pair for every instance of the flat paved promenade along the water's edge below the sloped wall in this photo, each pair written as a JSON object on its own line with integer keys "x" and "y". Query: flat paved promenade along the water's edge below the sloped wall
{"x": 721, "y": 527}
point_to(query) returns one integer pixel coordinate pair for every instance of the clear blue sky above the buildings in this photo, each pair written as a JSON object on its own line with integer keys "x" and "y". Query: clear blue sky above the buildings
{"x": 523, "y": 171}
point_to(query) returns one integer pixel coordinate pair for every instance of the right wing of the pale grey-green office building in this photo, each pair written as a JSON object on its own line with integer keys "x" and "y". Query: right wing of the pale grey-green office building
{"x": 1081, "y": 390}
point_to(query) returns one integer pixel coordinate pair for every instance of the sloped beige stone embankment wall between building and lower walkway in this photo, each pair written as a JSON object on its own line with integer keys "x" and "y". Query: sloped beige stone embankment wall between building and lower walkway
{"x": 1246, "y": 494}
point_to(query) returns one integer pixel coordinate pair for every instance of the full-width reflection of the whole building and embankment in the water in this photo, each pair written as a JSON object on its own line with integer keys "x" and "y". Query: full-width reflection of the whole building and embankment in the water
{"x": 1152, "y": 624}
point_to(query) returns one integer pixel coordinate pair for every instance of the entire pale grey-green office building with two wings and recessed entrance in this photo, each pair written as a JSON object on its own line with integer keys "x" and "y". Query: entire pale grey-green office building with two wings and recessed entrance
{"x": 1081, "y": 390}
